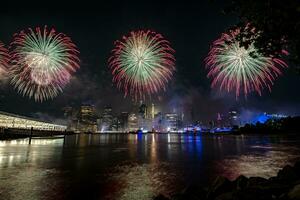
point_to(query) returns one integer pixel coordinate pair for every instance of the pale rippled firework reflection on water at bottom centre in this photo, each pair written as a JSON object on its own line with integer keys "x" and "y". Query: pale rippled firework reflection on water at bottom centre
{"x": 141, "y": 181}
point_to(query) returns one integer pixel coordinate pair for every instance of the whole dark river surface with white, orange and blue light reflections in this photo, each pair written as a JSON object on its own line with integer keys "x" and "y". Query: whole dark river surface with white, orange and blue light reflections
{"x": 118, "y": 166}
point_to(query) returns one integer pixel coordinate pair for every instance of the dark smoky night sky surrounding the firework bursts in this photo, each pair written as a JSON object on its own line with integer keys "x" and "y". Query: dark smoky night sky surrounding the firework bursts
{"x": 189, "y": 26}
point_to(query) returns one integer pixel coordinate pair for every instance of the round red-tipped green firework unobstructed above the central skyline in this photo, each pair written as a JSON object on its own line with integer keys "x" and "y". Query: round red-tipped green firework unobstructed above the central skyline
{"x": 142, "y": 63}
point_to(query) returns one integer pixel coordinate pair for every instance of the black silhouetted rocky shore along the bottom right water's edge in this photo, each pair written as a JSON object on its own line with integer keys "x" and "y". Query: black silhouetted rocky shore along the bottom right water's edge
{"x": 284, "y": 186}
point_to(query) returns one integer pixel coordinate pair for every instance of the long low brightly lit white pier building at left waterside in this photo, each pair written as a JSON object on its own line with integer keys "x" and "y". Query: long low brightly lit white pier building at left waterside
{"x": 8, "y": 120}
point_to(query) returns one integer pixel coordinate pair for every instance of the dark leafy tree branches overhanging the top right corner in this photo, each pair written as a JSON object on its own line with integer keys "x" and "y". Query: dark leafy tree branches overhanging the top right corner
{"x": 277, "y": 25}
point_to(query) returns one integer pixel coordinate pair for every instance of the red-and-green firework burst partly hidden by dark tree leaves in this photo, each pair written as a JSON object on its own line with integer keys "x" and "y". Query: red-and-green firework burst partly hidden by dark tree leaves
{"x": 235, "y": 68}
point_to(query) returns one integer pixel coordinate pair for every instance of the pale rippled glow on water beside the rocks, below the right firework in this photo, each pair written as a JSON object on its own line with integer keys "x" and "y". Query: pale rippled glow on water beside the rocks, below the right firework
{"x": 264, "y": 165}
